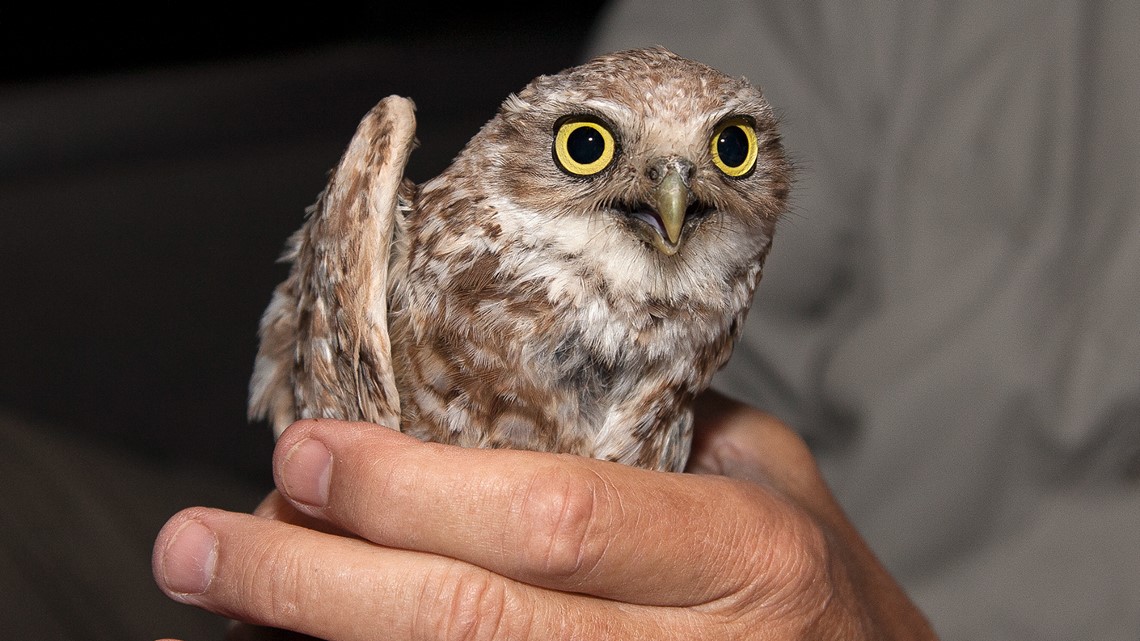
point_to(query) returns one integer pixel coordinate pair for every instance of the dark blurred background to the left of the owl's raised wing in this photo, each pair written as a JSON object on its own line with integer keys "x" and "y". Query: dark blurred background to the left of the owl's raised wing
{"x": 152, "y": 168}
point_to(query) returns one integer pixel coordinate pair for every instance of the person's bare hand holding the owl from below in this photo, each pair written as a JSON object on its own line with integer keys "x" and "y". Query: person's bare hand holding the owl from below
{"x": 373, "y": 534}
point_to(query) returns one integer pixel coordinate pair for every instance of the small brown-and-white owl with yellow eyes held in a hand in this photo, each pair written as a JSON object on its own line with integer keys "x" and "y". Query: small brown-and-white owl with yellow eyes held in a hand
{"x": 569, "y": 283}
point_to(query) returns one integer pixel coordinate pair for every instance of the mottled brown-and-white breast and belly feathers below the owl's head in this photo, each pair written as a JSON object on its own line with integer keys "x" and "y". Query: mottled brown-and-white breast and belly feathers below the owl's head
{"x": 491, "y": 329}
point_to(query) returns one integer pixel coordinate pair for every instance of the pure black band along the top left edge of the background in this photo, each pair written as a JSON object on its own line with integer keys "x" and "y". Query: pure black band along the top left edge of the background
{"x": 39, "y": 42}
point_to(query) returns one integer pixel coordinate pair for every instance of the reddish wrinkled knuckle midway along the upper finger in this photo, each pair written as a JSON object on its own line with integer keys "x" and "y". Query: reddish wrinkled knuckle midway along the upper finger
{"x": 563, "y": 515}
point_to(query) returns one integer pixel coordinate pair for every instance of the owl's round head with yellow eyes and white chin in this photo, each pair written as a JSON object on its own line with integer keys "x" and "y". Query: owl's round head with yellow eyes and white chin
{"x": 658, "y": 166}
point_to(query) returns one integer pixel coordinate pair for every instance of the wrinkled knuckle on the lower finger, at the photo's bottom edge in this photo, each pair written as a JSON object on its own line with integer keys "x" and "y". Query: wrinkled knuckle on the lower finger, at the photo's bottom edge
{"x": 462, "y": 604}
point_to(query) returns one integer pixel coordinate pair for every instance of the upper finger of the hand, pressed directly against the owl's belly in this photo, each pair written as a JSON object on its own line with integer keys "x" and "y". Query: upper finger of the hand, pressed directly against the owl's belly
{"x": 559, "y": 522}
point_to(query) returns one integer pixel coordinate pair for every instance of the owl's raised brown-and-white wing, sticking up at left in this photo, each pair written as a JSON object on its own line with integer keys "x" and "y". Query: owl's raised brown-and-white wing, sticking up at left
{"x": 325, "y": 350}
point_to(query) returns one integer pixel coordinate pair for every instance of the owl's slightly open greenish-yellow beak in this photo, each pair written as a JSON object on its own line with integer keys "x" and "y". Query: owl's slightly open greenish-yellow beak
{"x": 662, "y": 221}
